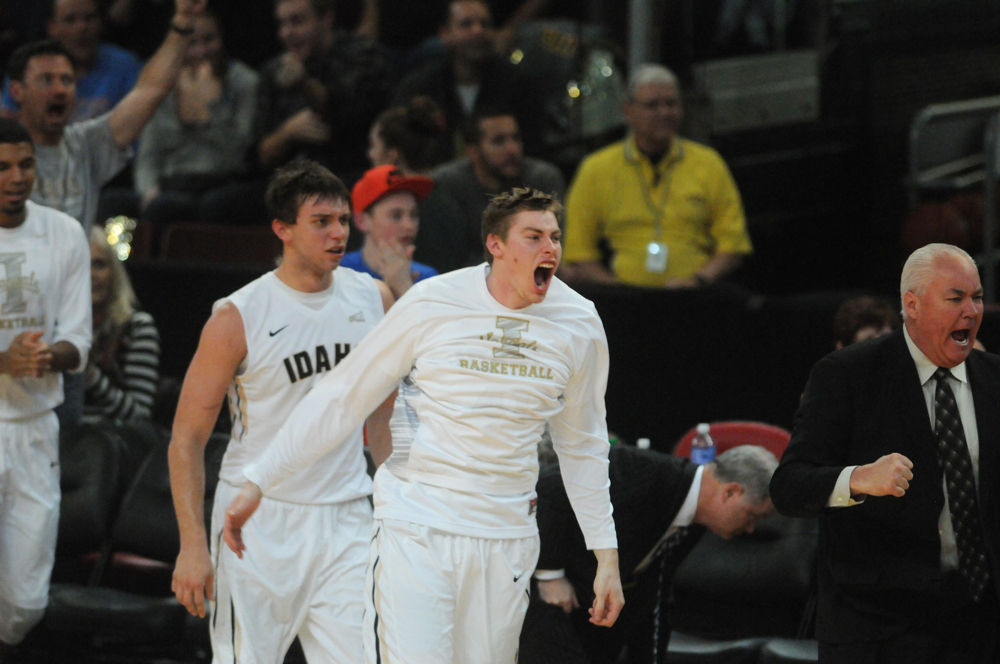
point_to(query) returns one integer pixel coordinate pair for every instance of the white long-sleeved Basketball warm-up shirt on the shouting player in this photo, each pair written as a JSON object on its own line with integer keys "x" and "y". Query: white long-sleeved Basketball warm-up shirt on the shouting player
{"x": 482, "y": 380}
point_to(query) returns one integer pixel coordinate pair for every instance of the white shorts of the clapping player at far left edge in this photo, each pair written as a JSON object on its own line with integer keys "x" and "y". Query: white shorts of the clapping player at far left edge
{"x": 29, "y": 521}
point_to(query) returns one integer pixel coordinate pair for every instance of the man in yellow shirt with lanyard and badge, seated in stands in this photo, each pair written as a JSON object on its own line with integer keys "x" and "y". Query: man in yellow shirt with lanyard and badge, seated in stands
{"x": 667, "y": 206}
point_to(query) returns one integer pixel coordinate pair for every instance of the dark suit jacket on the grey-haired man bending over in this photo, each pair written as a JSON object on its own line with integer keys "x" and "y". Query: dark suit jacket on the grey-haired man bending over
{"x": 647, "y": 490}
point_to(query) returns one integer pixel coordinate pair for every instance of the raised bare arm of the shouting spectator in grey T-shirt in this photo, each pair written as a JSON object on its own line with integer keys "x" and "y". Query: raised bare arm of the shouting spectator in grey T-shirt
{"x": 157, "y": 77}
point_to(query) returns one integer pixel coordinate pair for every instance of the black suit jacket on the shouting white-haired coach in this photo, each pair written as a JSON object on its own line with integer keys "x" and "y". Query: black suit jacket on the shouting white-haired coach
{"x": 879, "y": 562}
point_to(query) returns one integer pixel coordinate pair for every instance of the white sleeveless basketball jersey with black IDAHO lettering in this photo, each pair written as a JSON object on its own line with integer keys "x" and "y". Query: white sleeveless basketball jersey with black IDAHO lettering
{"x": 293, "y": 339}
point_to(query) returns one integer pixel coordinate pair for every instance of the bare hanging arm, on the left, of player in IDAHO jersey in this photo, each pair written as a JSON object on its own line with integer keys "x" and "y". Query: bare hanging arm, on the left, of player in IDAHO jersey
{"x": 220, "y": 350}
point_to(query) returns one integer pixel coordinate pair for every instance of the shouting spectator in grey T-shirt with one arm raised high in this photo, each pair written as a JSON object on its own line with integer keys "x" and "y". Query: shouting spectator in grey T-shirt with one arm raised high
{"x": 76, "y": 158}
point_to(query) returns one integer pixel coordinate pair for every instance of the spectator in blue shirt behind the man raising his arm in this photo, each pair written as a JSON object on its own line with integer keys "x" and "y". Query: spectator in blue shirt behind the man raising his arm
{"x": 105, "y": 73}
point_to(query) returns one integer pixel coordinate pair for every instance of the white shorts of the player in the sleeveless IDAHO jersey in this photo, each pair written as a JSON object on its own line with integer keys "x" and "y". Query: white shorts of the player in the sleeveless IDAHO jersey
{"x": 302, "y": 574}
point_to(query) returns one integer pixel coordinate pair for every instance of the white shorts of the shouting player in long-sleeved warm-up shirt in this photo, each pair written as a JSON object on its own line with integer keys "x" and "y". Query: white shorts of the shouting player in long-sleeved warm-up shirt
{"x": 439, "y": 598}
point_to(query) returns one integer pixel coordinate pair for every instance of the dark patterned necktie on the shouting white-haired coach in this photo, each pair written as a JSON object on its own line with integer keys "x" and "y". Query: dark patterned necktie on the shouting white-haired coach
{"x": 955, "y": 463}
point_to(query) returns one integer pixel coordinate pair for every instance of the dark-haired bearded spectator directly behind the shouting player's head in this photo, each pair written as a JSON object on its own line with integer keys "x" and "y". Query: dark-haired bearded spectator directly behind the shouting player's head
{"x": 494, "y": 162}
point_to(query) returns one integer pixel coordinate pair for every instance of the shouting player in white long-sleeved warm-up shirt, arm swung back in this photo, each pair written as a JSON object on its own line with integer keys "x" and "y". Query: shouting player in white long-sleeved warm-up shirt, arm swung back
{"x": 487, "y": 355}
